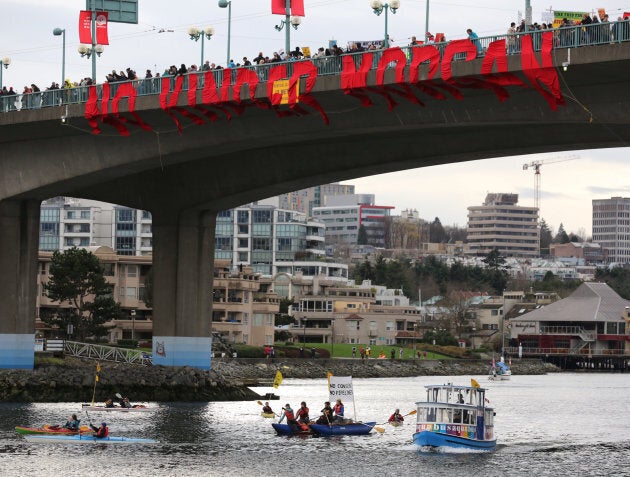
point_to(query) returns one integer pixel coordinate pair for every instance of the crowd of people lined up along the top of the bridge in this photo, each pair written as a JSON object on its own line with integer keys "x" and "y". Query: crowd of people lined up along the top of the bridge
{"x": 595, "y": 29}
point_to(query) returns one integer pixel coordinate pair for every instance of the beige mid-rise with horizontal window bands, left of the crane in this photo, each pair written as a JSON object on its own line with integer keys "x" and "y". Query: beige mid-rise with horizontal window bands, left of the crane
{"x": 503, "y": 225}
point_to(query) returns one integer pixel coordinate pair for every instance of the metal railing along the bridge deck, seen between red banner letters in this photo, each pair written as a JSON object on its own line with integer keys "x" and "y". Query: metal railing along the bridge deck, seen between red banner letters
{"x": 568, "y": 37}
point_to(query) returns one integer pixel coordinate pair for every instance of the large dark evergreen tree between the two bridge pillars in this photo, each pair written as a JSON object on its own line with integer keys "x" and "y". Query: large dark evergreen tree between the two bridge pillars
{"x": 76, "y": 277}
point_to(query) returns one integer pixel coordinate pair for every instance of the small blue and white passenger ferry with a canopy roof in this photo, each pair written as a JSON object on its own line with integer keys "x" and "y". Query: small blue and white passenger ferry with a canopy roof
{"x": 456, "y": 417}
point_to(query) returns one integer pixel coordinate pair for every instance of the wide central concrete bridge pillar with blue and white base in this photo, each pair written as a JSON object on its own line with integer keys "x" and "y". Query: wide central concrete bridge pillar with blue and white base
{"x": 183, "y": 258}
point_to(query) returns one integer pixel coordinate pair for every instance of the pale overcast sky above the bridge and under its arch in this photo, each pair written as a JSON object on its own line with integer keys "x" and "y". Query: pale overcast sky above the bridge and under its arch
{"x": 569, "y": 181}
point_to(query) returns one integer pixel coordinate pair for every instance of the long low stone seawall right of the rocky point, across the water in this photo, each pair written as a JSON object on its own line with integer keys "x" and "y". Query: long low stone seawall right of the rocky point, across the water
{"x": 247, "y": 371}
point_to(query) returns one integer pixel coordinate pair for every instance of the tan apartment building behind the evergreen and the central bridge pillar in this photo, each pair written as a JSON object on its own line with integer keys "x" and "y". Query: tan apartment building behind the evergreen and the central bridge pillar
{"x": 242, "y": 311}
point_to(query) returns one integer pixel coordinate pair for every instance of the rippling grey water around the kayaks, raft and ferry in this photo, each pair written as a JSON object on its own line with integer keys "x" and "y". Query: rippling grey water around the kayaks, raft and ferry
{"x": 571, "y": 424}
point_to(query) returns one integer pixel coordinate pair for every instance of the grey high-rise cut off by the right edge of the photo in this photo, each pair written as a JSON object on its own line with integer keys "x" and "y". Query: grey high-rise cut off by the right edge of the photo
{"x": 611, "y": 227}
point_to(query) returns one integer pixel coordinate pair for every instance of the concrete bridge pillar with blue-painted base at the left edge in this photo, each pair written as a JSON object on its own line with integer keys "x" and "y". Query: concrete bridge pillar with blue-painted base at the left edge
{"x": 19, "y": 239}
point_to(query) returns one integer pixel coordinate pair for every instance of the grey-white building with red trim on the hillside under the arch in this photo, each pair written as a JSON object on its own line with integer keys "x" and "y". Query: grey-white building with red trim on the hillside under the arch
{"x": 344, "y": 215}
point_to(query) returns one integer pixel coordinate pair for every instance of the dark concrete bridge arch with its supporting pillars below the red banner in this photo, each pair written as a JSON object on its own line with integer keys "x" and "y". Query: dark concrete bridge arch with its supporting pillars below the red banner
{"x": 185, "y": 176}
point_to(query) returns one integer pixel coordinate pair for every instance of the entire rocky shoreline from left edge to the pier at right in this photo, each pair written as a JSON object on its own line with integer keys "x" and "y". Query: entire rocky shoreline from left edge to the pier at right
{"x": 74, "y": 381}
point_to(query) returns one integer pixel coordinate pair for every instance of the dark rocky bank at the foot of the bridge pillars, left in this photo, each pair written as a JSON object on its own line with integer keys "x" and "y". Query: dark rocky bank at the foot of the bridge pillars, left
{"x": 74, "y": 381}
